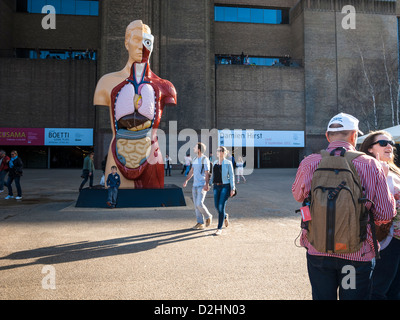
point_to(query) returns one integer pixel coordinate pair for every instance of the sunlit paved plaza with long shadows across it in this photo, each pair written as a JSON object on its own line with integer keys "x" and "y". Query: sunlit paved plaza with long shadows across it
{"x": 52, "y": 250}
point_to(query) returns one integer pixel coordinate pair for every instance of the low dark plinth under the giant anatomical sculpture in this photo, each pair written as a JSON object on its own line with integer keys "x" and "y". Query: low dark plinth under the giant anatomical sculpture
{"x": 170, "y": 196}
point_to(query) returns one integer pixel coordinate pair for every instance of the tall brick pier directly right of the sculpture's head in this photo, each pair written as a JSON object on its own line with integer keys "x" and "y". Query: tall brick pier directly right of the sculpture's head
{"x": 187, "y": 60}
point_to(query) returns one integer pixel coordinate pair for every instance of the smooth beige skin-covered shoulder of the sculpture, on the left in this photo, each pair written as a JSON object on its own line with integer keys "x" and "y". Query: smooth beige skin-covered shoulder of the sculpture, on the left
{"x": 104, "y": 87}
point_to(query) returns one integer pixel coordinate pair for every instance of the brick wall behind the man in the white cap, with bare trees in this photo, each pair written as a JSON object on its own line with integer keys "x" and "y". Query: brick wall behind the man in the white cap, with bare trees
{"x": 334, "y": 77}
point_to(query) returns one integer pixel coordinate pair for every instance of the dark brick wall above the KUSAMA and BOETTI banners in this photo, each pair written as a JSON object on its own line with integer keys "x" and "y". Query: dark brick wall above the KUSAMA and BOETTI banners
{"x": 47, "y": 93}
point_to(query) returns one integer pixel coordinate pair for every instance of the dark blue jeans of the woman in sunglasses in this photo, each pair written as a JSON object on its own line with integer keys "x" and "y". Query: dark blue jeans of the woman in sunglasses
{"x": 386, "y": 277}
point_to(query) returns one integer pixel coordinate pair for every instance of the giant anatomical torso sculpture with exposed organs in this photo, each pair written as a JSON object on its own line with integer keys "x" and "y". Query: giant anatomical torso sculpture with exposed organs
{"x": 136, "y": 97}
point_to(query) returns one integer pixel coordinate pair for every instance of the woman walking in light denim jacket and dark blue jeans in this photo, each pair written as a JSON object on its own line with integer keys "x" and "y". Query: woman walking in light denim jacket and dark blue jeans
{"x": 223, "y": 181}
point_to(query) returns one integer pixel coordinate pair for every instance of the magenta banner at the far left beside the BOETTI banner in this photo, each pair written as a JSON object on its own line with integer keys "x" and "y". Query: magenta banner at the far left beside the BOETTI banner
{"x": 21, "y": 136}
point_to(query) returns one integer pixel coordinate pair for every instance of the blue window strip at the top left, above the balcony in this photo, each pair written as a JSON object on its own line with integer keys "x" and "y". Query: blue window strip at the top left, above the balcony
{"x": 72, "y": 7}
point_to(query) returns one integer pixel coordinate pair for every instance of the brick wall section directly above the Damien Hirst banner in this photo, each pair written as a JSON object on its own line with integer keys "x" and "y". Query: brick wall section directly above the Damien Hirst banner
{"x": 260, "y": 98}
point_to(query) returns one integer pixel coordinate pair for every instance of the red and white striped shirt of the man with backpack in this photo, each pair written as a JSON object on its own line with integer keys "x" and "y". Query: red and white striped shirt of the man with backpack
{"x": 372, "y": 178}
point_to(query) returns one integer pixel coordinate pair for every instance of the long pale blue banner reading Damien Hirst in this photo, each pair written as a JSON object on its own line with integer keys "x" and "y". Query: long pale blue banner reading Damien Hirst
{"x": 260, "y": 138}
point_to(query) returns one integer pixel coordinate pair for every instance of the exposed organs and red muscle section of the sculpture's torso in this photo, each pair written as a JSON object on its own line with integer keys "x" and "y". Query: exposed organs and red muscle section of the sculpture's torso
{"x": 137, "y": 110}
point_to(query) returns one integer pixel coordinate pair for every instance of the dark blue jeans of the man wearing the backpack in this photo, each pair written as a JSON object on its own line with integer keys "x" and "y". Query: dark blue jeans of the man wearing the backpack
{"x": 327, "y": 274}
